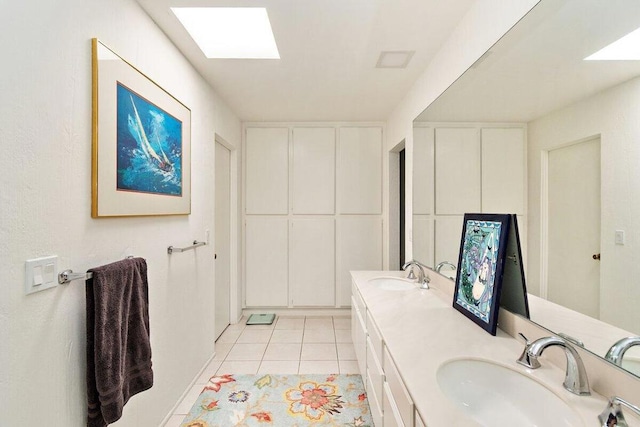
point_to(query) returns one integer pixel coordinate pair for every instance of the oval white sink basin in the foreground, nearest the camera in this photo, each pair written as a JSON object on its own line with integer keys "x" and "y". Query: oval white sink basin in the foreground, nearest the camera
{"x": 495, "y": 395}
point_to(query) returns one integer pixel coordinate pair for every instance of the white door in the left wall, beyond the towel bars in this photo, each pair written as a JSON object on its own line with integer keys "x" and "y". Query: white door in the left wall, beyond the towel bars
{"x": 222, "y": 238}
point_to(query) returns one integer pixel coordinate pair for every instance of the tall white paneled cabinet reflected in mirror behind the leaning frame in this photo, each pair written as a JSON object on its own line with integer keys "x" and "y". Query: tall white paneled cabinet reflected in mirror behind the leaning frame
{"x": 464, "y": 168}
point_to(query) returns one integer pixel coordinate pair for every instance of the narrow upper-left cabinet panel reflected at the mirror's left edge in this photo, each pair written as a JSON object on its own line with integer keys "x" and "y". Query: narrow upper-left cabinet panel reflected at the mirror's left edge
{"x": 423, "y": 163}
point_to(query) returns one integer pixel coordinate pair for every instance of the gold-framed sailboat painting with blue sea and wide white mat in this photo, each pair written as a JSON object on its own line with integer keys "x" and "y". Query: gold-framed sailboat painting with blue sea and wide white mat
{"x": 141, "y": 151}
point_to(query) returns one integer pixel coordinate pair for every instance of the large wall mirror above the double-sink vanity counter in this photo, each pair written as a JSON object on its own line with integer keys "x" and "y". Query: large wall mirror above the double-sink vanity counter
{"x": 535, "y": 129}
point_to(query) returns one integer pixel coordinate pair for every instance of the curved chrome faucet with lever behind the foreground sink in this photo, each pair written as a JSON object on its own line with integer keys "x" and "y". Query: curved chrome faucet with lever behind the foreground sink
{"x": 576, "y": 377}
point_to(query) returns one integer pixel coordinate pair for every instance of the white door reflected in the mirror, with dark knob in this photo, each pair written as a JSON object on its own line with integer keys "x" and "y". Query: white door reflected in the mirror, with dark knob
{"x": 573, "y": 278}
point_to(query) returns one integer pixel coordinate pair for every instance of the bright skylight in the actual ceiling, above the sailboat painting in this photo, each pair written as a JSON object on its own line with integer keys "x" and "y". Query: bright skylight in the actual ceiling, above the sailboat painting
{"x": 230, "y": 32}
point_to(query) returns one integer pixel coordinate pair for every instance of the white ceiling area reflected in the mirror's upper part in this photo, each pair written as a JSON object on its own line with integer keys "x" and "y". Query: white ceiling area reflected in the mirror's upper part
{"x": 538, "y": 66}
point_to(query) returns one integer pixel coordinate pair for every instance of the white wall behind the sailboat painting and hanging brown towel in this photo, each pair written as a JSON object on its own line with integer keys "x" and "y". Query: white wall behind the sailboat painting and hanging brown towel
{"x": 45, "y": 136}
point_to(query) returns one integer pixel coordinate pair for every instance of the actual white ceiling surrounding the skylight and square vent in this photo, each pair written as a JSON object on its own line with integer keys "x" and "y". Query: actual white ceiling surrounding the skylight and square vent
{"x": 328, "y": 50}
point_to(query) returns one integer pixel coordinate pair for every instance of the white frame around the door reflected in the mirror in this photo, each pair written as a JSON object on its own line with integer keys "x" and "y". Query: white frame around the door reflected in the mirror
{"x": 544, "y": 208}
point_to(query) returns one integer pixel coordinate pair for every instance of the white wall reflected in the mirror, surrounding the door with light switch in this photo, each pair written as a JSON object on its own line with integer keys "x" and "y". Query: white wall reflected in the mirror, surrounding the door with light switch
{"x": 612, "y": 115}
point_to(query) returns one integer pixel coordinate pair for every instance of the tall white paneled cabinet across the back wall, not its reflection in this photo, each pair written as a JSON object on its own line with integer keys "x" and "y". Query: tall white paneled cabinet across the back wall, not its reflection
{"x": 313, "y": 212}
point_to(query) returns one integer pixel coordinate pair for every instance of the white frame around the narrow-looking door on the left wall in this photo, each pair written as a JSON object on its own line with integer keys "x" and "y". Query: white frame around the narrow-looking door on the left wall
{"x": 235, "y": 300}
